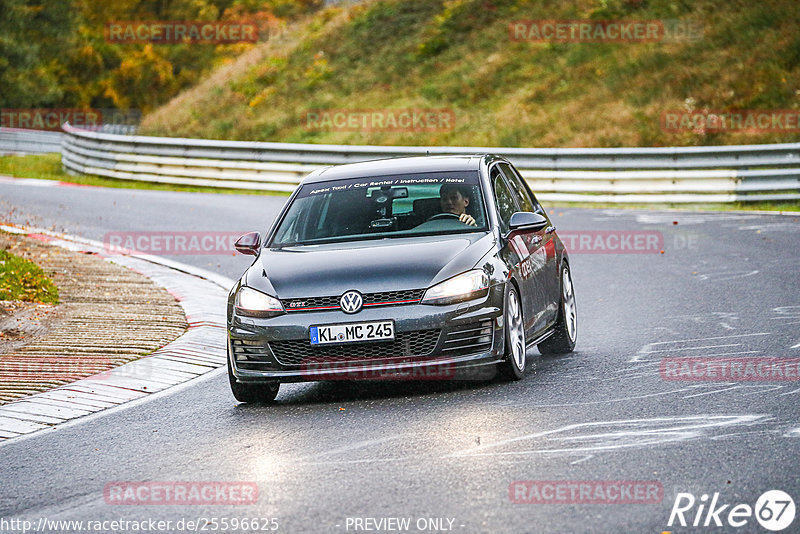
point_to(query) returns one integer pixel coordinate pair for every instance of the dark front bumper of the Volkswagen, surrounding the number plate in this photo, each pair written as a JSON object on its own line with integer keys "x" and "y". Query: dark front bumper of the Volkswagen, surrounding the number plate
{"x": 452, "y": 342}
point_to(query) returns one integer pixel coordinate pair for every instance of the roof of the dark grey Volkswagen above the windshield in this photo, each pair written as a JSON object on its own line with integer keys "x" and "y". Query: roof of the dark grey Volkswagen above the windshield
{"x": 386, "y": 167}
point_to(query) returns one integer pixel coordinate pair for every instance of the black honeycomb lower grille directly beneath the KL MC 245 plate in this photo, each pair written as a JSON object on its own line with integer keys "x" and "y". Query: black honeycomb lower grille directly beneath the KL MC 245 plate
{"x": 405, "y": 344}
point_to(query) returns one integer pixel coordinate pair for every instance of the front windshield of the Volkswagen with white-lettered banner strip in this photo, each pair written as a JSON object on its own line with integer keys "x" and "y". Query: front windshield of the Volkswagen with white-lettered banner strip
{"x": 377, "y": 207}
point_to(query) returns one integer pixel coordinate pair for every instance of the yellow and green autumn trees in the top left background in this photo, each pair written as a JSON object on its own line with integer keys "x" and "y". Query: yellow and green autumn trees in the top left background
{"x": 54, "y": 54}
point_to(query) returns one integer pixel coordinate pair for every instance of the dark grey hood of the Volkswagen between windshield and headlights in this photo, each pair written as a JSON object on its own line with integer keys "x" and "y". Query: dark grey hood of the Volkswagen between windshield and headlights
{"x": 366, "y": 266}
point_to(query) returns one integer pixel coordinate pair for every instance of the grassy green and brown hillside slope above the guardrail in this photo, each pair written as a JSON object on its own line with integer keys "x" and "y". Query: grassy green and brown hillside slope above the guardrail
{"x": 459, "y": 55}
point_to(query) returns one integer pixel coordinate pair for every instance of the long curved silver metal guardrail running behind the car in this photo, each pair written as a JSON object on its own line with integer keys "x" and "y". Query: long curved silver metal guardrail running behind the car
{"x": 631, "y": 175}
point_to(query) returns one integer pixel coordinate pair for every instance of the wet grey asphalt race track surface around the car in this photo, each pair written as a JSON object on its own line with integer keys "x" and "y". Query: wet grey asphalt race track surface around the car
{"x": 444, "y": 455}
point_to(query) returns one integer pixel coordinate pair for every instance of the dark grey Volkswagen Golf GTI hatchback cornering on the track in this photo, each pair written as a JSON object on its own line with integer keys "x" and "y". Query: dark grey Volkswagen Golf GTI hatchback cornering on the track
{"x": 407, "y": 268}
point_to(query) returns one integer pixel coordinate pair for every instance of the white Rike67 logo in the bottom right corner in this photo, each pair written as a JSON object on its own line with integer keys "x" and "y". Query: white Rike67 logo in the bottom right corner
{"x": 774, "y": 510}
